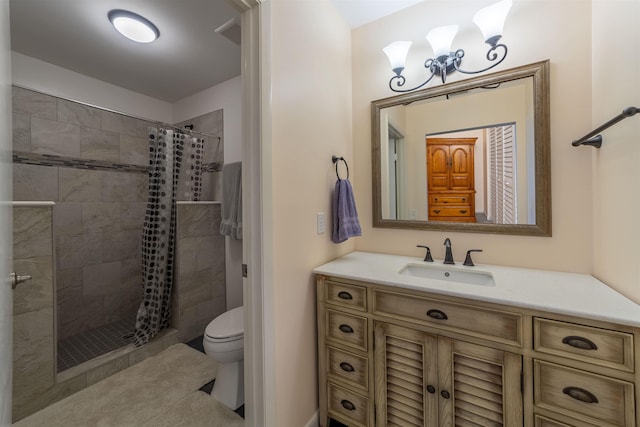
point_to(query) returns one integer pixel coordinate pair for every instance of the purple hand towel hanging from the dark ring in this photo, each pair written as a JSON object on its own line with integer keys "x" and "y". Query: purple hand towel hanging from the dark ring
{"x": 345, "y": 215}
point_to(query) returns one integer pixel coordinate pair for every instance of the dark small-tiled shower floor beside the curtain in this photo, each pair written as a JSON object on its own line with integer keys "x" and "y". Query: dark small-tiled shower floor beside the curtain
{"x": 87, "y": 345}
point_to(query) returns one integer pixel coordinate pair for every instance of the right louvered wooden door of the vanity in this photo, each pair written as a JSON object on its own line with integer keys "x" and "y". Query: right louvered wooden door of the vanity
{"x": 478, "y": 385}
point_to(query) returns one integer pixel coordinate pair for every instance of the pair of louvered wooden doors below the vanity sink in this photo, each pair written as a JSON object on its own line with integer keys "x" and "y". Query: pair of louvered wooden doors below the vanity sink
{"x": 429, "y": 380}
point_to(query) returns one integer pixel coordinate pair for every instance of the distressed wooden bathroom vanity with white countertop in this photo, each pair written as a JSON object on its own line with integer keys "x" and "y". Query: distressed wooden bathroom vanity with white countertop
{"x": 398, "y": 354}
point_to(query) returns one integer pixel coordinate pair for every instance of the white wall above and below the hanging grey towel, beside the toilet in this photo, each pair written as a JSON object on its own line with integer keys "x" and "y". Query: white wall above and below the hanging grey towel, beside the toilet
{"x": 225, "y": 96}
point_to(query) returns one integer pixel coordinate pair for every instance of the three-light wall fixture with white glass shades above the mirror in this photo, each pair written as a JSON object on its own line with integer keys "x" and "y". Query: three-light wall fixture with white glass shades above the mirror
{"x": 491, "y": 22}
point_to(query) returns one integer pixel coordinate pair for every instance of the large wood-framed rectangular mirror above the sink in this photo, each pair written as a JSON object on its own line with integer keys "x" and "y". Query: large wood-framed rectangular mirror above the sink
{"x": 471, "y": 155}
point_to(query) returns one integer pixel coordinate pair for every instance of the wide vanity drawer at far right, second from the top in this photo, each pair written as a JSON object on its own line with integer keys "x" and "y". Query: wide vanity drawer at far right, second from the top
{"x": 582, "y": 395}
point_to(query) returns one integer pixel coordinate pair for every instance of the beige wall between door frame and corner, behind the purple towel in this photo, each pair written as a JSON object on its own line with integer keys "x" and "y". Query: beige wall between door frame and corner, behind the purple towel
{"x": 311, "y": 121}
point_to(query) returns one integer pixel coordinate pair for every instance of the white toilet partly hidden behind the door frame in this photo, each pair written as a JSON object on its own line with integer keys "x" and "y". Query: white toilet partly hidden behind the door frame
{"x": 223, "y": 340}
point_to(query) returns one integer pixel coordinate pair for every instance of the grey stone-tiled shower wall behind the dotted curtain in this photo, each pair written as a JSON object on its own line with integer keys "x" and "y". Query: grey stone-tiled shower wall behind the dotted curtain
{"x": 92, "y": 163}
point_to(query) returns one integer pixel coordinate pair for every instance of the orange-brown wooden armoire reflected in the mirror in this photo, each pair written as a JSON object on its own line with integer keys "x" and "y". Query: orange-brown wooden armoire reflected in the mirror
{"x": 450, "y": 182}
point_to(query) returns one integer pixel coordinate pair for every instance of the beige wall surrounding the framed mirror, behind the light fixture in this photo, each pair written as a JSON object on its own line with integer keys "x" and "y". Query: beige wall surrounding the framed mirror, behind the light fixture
{"x": 566, "y": 41}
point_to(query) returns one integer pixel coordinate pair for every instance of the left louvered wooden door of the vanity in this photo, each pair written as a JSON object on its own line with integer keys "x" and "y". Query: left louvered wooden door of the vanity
{"x": 405, "y": 377}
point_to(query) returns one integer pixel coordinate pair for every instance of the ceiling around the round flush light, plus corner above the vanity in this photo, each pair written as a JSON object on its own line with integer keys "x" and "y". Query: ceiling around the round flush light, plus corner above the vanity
{"x": 188, "y": 57}
